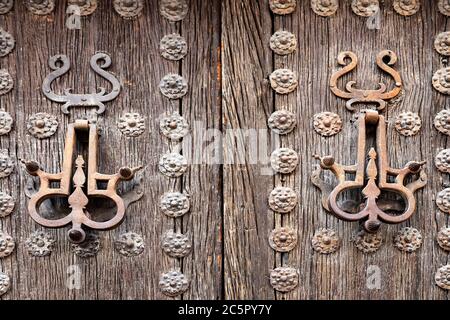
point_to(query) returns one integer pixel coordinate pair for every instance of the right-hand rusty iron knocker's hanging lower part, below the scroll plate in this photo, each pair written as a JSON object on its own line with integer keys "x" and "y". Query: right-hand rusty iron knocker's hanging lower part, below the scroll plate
{"x": 373, "y": 179}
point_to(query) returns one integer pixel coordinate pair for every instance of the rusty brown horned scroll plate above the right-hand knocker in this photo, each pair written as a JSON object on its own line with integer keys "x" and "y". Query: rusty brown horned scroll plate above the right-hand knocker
{"x": 385, "y": 59}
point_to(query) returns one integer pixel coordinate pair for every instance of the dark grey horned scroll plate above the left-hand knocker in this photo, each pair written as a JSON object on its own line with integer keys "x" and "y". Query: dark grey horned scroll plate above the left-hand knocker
{"x": 61, "y": 65}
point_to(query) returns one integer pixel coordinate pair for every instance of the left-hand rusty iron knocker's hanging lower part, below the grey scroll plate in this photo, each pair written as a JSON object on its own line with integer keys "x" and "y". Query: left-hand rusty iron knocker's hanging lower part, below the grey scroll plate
{"x": 58, "y": 185}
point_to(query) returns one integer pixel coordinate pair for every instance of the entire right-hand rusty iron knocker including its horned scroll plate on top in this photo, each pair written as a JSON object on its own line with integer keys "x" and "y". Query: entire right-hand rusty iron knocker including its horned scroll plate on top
{"x": 377, "y": 176}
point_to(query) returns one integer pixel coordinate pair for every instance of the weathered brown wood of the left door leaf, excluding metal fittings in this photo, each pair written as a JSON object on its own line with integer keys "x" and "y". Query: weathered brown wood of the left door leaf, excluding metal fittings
{"x": 134, "y": 49}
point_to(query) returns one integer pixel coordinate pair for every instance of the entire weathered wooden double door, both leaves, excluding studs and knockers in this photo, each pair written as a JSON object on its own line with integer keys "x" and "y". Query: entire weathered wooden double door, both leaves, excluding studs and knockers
{"x": 228, "y": 103}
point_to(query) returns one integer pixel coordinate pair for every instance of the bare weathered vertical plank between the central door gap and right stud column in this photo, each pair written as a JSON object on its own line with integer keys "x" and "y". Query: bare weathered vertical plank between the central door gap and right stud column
{"x": 247, "y": 102}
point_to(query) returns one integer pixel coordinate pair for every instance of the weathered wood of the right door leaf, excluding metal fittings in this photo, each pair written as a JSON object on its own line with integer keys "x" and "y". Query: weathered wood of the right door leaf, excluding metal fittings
{"x": 247, "y": 102}
